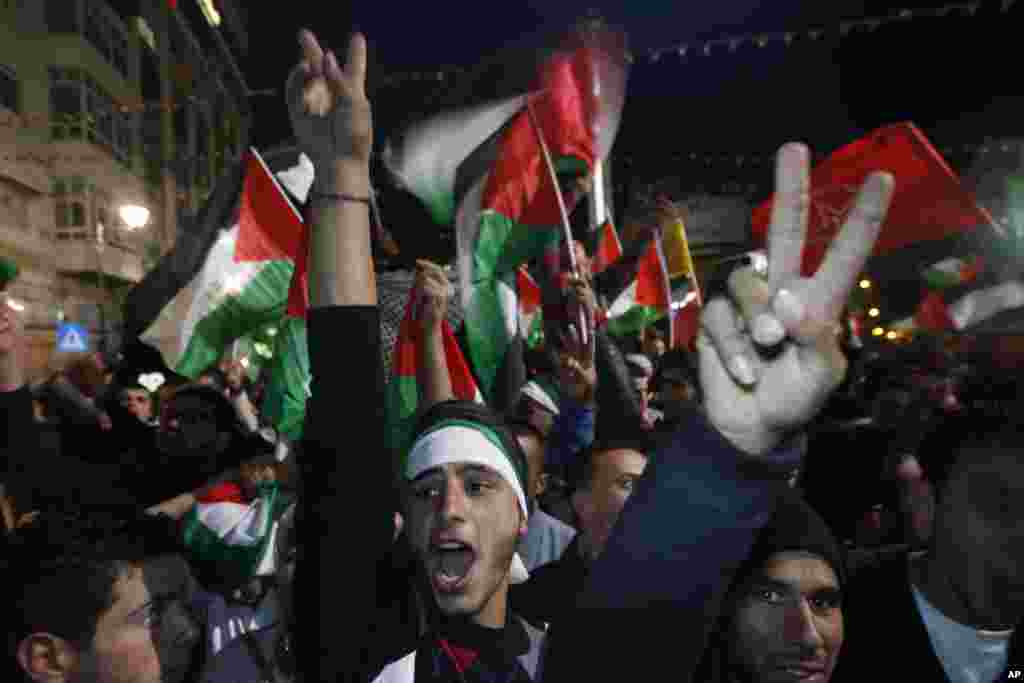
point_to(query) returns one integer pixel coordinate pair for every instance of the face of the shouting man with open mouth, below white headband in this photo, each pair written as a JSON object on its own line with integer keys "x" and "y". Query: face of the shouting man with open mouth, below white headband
{"x": 464, "y": 523}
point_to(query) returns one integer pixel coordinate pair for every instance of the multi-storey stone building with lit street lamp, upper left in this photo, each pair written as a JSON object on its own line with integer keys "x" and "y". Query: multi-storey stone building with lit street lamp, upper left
{"x": 116, "y": 117}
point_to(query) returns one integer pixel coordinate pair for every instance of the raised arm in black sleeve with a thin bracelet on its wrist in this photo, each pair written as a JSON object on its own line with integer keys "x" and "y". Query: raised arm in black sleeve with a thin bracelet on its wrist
{"x": 345, "y": 465}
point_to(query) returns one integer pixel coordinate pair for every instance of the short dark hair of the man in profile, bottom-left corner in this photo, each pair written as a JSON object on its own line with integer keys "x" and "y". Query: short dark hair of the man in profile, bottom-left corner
{"x": 60, "y": 571}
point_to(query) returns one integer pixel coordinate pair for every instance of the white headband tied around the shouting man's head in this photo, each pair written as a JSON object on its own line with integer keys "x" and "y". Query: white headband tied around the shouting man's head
{"x": 465, "y": 445}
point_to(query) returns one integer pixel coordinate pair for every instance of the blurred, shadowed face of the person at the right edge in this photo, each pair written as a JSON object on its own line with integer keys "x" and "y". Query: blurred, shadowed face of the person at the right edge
{"x": 978, "y": 539}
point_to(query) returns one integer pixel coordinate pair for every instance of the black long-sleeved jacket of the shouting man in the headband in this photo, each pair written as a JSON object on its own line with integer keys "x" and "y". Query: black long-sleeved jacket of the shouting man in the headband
{"x": 359, "y": 613}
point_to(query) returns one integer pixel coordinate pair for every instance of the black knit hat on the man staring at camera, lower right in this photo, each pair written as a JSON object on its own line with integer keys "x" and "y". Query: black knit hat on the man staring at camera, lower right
{"x": 794, "y": 527}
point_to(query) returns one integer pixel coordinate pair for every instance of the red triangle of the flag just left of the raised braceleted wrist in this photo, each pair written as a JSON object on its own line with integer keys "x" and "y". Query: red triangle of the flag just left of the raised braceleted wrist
{"x": 272, "y": 230}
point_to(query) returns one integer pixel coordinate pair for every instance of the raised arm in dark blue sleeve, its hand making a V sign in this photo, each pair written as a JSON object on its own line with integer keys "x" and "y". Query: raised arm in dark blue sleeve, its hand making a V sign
{"x": 696, "y": 514}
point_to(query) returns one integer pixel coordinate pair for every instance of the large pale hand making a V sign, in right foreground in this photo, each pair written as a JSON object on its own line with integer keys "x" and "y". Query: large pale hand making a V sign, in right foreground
{"x": 754, "y": 399}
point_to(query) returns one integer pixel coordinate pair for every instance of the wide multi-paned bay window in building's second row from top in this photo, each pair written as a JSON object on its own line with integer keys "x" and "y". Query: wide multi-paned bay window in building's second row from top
{"x": 81, "y": 109}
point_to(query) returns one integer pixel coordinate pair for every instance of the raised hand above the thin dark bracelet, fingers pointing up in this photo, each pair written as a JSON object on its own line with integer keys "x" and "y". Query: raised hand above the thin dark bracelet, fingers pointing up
{"x": 328, "y": 105}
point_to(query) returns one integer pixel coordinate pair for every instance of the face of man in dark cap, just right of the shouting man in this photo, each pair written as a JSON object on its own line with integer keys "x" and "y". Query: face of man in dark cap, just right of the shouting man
{"x": 614, "y": 476}
